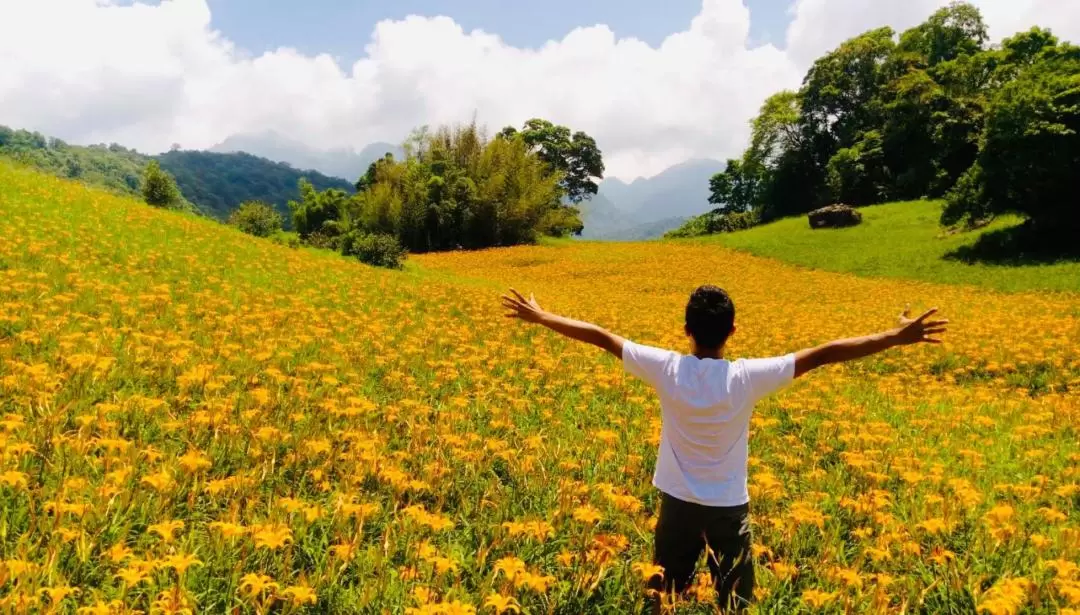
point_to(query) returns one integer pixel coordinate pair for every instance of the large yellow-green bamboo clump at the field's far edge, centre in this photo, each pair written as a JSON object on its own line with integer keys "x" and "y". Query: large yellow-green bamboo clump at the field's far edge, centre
{"x": 457, "y": 189}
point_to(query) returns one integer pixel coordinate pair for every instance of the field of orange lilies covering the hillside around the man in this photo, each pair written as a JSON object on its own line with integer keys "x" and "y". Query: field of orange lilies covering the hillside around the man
{"x": 194, "y": 421}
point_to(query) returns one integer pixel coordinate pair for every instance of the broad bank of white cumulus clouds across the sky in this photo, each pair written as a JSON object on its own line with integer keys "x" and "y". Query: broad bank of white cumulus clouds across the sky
{"x": 150, "y": 76}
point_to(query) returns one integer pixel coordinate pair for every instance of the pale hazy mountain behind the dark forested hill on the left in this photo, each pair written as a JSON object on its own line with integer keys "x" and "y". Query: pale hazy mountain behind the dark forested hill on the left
{"x": 345, "y": 164}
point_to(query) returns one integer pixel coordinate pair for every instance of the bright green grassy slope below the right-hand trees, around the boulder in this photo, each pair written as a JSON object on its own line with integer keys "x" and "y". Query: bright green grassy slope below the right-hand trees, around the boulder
{"x": 897, "y": 240}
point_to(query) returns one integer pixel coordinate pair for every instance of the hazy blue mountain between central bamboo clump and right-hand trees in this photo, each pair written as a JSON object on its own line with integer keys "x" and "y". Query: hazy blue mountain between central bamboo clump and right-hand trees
{"x": 649, "y": 208}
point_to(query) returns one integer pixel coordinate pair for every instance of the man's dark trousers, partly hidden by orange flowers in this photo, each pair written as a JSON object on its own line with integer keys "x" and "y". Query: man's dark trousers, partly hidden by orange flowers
{"x": 685, "y": 530}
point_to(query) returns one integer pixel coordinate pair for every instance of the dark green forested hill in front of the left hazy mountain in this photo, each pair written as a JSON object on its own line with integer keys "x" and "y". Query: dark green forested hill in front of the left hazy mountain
{"x": 219, "y": 183}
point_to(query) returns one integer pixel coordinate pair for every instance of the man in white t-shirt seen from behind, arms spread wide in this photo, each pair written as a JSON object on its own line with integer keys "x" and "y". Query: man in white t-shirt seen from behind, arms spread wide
{"x": 707, "y": 403}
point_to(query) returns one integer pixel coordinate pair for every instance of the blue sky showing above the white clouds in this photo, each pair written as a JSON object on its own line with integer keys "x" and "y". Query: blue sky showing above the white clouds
{"x": 343, "y": 28}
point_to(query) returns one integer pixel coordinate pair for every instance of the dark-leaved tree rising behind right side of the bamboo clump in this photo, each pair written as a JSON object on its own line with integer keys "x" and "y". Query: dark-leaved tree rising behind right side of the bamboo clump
{"x": 575, "y": 157}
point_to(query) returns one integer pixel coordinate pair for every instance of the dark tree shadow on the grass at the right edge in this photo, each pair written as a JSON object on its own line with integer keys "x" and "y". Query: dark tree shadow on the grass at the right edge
{"x": 1018, "y": 247}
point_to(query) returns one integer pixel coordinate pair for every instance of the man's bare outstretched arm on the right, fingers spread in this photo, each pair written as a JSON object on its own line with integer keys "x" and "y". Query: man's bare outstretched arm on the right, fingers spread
{"x": 911, "y": 331}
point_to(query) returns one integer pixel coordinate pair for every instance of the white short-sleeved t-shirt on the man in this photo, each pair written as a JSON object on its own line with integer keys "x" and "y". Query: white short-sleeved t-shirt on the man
{"x": 707, "y": 405}
